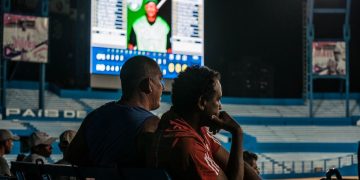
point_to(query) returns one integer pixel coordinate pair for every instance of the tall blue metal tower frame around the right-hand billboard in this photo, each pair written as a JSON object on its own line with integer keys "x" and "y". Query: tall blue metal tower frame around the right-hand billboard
{"x": 310, "y": 35}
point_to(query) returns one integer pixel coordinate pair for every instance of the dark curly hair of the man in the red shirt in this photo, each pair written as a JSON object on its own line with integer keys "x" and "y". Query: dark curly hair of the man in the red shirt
{"x": 190, "y": 85}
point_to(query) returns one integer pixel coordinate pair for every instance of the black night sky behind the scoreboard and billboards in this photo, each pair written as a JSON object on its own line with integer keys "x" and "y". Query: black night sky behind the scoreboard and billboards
{"x": 257, "y": 45}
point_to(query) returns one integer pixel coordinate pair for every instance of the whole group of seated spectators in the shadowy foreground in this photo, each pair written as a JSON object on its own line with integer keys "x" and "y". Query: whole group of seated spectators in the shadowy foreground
{"x": 125, "y": 134}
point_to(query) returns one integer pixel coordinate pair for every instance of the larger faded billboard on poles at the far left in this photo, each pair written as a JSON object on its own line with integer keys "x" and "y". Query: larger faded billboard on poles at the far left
{"x": 25, "y": 38}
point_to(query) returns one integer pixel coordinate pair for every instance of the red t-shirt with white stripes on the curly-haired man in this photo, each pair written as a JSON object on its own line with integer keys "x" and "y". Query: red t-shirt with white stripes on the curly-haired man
{"x": 187, "y": 155}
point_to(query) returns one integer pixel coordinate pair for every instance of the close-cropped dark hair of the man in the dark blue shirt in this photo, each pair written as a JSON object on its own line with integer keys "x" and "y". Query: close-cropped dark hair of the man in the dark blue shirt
{"x": 134, "y": 71}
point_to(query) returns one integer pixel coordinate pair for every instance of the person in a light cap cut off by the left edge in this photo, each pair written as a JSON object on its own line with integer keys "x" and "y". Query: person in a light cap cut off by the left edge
{"x": 6, "y": 144}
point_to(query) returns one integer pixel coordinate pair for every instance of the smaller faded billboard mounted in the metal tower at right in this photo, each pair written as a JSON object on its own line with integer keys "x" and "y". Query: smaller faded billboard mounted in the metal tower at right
{"x": 329, "y": 58}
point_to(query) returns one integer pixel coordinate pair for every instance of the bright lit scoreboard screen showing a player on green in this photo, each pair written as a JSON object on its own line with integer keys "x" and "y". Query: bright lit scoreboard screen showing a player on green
{"x": 169, "y": 31}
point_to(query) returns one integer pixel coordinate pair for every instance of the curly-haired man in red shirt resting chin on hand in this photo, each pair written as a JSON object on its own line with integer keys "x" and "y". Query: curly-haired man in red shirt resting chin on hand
{"x": 184, "y": 144}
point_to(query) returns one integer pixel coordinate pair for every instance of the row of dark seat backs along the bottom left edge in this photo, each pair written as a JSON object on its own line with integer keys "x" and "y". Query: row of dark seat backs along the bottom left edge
{"x": 31, "y": 171}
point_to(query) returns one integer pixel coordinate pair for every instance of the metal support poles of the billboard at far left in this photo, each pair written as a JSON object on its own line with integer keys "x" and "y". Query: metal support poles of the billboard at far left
{"x": 5, "y": 8}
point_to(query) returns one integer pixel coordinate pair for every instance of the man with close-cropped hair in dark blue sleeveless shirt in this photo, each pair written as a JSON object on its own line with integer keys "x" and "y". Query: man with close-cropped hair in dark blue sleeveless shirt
{"x": 108, "y": 136}
